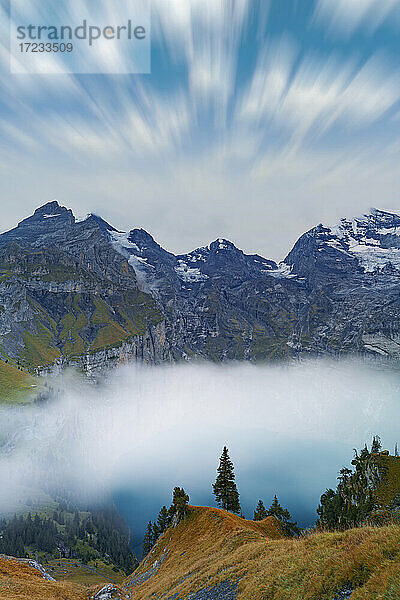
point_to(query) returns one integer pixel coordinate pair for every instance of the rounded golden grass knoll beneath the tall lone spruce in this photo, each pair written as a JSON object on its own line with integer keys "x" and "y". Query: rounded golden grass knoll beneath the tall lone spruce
{"x": 204, "y": 546}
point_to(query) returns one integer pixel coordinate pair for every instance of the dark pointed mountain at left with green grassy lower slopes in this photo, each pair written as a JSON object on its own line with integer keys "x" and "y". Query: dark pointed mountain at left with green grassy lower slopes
{"x": 66, "y": 296}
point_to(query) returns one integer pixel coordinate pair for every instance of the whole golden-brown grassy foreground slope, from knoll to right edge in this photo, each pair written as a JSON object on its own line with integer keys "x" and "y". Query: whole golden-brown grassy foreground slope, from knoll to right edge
{"x": 213, "y": 546}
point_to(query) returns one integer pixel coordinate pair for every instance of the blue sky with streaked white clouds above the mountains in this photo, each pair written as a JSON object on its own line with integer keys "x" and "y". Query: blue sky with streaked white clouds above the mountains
{"x": 258, "y": 120}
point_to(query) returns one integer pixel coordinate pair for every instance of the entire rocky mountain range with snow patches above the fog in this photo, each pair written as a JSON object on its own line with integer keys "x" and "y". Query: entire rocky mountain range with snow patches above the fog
{"x": 78, "y": 291}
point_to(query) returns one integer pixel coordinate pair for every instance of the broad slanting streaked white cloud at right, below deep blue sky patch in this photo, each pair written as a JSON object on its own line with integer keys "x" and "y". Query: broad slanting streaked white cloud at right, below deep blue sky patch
{"x": 320, "y": 93}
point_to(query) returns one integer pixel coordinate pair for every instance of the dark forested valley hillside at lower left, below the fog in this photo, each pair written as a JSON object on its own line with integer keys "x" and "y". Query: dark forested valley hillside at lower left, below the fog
{"x": 92, "y": 545}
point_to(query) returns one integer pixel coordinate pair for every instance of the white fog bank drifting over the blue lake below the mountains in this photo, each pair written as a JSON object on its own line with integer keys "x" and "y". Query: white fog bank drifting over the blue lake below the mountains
{"x": 289, "y": 429}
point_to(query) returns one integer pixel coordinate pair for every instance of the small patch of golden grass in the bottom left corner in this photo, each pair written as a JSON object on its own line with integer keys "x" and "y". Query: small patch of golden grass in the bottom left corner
{"x": 21, "y": 582}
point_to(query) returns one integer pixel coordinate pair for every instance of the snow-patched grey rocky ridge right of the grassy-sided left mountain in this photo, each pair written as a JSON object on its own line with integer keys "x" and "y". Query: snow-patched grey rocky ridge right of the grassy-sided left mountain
{"x": 336, "y": 292}
